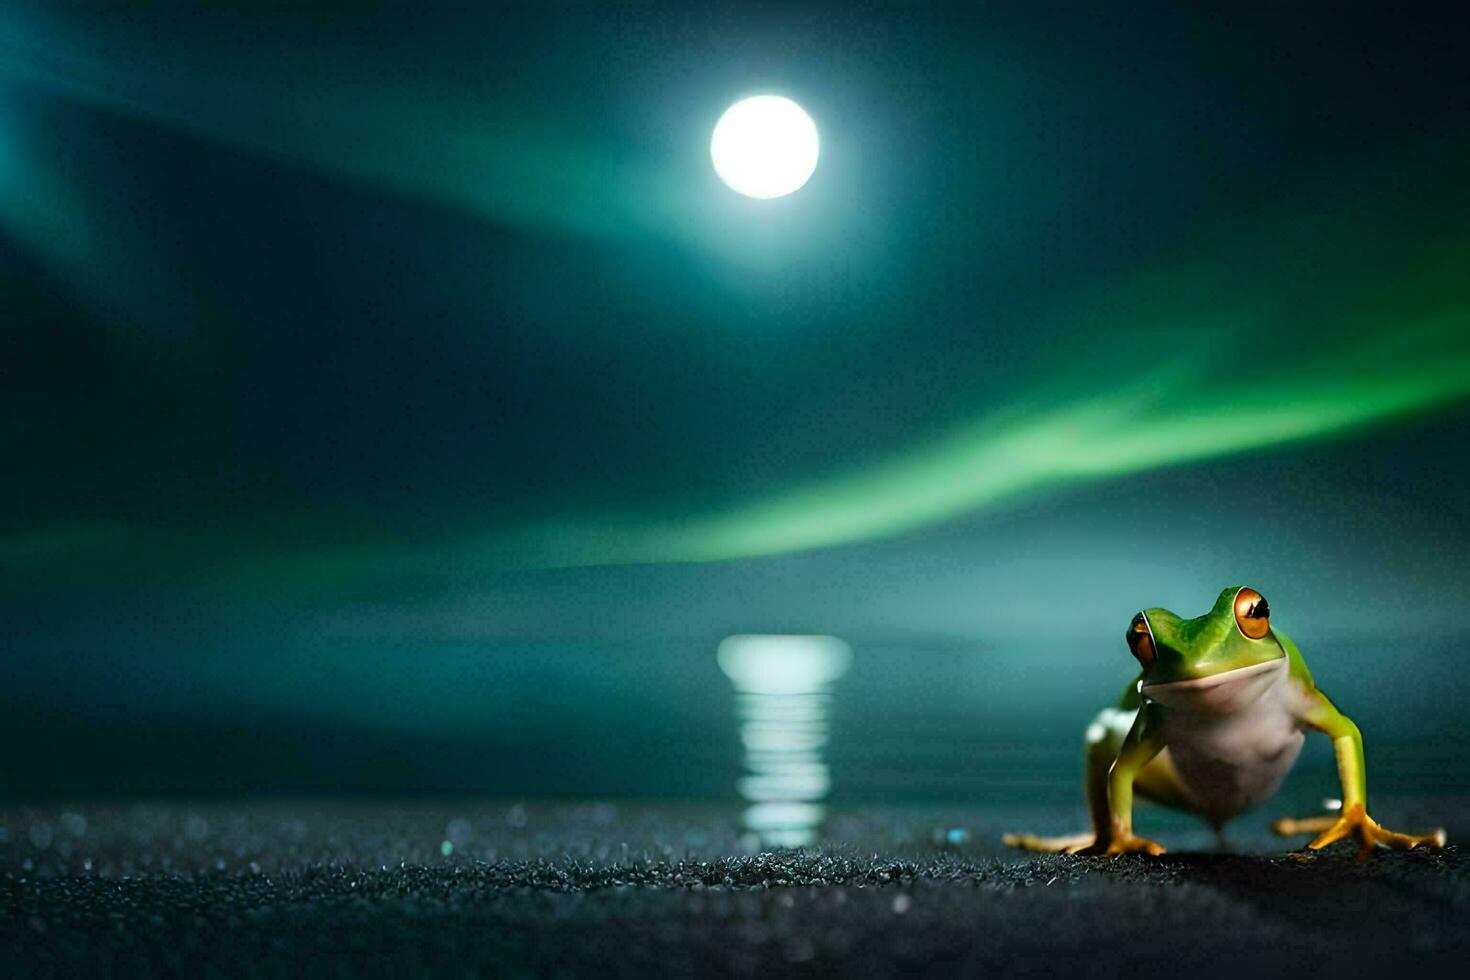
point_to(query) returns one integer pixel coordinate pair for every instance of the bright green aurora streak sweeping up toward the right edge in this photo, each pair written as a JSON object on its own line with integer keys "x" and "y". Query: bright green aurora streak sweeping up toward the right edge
{"x": 1396, "y": 343}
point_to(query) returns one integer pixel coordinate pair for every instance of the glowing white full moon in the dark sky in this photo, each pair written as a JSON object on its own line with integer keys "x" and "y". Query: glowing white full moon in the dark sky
{"x": 765, "y": 146}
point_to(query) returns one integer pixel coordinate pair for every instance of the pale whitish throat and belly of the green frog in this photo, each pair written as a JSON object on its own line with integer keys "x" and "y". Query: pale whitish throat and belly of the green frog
{"x": 1233, "y": 760}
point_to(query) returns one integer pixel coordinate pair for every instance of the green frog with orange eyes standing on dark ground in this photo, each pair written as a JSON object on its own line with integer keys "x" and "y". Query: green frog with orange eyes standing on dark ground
{"x": 1212, "y": 725}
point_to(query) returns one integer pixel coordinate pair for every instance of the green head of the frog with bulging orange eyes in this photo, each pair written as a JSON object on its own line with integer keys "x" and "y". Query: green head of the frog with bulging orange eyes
{"x": 1216, "y": 663}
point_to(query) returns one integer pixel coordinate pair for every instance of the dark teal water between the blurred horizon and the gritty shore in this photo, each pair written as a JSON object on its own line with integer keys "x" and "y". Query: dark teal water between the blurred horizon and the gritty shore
{"x": 906, "y": 724}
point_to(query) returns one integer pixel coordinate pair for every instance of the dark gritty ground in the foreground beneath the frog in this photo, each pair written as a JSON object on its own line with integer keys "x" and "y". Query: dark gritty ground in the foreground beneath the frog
{"x": 595, "y": 890}
